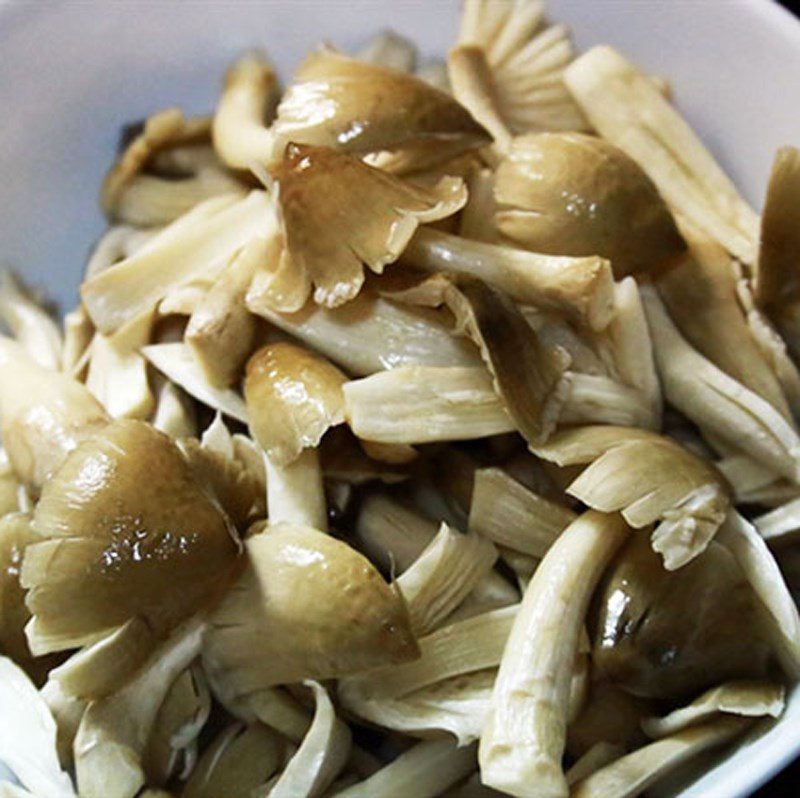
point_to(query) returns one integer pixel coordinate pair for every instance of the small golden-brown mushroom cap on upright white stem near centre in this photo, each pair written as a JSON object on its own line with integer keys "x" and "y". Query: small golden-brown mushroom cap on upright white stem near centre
{"x": 293, "y": 397}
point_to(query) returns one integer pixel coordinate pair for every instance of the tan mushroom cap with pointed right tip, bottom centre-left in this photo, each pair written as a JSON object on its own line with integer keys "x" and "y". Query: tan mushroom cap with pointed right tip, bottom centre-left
{"x": 345, "y": 619}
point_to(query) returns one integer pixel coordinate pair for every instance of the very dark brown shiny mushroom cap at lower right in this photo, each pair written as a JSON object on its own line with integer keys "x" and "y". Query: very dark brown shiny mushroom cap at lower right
{"x": 647, "y": 642}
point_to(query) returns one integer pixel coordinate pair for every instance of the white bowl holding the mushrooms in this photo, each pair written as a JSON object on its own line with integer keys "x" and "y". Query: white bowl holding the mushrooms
{"x": 72, "y": 73}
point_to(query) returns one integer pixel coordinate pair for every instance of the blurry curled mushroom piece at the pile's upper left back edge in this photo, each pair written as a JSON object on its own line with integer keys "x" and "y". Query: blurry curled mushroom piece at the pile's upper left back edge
{"x": 165, "y": 170}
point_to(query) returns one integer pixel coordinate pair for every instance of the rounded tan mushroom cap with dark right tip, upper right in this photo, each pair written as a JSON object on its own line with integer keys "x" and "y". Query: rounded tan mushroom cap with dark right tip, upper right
{"x": 574, "y": 194}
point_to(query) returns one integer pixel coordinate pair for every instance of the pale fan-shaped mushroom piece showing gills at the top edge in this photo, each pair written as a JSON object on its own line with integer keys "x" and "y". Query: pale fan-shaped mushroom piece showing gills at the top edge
{"x": 510, "y": 59}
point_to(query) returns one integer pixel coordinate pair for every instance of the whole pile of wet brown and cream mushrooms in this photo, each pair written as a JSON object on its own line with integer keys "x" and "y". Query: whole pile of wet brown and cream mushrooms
{"x": 422, "y": 429}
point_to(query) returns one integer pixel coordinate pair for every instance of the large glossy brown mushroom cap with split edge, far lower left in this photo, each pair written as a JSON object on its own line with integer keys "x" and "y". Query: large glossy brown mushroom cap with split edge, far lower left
{"x": 126, "y": 532}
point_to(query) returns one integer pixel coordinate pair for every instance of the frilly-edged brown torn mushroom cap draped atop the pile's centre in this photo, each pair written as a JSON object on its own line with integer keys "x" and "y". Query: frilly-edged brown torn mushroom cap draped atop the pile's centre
{"x": 339, "y": 214}
